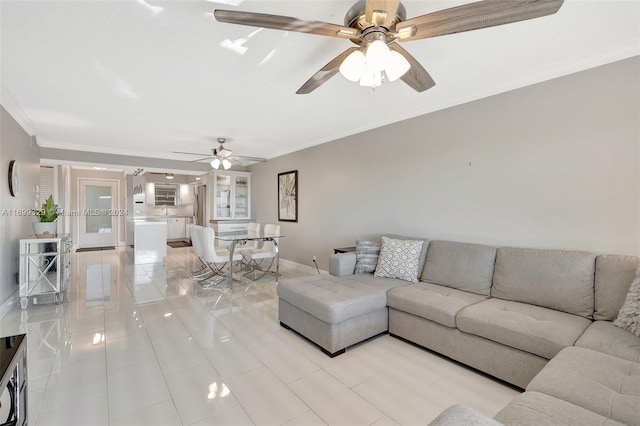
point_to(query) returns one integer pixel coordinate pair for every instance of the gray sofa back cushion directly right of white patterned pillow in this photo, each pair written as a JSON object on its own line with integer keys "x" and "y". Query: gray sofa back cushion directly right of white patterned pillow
{"x": 464, "y": 266}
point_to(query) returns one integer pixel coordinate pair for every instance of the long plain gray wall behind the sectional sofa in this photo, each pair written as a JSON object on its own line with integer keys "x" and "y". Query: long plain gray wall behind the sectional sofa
{"x": 552, "y": 165}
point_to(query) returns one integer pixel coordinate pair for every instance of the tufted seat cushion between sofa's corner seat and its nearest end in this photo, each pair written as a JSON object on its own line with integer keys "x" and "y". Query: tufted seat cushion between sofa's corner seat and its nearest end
{"x": 599, "y": 382}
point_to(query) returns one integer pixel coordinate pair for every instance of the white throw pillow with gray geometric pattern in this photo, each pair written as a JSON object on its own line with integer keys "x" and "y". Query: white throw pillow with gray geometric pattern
{"x": 399, "y": 259}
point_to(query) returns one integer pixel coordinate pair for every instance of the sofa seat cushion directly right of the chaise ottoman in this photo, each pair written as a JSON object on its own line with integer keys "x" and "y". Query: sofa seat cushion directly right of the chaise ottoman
{"x": 431, "y": 301}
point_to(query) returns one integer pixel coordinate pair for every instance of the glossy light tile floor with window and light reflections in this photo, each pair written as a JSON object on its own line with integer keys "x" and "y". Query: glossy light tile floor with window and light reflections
{"x": 146, "y": 345}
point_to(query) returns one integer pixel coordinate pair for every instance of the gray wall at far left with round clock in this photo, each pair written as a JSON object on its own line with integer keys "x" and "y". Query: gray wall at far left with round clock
{"x": 15, "y": 144}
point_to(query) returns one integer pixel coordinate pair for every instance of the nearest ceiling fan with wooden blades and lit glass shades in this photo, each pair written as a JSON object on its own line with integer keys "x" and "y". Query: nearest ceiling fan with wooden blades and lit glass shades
{"x": 377, "y": 25}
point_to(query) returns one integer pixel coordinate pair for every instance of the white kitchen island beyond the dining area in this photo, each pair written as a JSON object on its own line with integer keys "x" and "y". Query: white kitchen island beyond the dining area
{"x": 149, "y": 240}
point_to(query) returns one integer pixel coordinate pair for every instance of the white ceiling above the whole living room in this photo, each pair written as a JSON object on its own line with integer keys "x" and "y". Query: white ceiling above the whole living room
{"x": 146, "y": 78}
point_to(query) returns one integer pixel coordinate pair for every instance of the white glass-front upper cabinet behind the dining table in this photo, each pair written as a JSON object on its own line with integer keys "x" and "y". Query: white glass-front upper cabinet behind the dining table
{"x": 231, "y": 195}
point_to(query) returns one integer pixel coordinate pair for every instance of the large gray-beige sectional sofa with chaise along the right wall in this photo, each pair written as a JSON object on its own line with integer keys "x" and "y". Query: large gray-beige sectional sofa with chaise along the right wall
{"x": 539, "y": 319}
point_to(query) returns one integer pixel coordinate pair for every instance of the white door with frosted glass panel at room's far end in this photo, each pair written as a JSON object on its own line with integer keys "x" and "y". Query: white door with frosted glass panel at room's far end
{"x": 99, "y": 218}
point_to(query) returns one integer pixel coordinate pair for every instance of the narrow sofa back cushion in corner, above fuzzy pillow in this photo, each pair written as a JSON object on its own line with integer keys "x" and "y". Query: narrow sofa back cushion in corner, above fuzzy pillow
{"x": 614, "y": 274}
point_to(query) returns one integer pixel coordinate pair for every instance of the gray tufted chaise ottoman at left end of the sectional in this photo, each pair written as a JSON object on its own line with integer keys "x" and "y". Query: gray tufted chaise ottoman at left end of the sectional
{"x": 333, "y": 312}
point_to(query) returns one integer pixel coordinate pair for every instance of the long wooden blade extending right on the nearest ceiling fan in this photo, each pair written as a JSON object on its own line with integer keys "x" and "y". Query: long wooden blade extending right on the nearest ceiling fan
{"x": 473, "y": 16}
